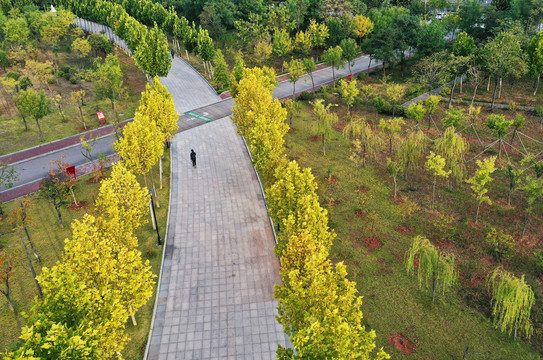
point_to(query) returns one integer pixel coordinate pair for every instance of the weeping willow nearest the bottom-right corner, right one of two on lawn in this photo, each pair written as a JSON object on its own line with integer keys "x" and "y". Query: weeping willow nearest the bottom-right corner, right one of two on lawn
{"x": 512, "y": 300}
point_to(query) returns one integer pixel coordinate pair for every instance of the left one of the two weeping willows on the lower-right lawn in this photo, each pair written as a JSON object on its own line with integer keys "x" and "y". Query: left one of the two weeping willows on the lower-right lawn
{"x": 433, "y": 266}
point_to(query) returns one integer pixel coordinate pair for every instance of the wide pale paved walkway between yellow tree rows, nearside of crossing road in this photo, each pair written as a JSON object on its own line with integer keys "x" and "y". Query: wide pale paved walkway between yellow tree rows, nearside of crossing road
{"x": 216, "y": 292}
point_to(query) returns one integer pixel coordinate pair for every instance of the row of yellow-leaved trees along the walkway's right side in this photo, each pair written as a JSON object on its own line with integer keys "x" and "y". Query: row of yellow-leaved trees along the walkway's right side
{"x": 318, "y": 306}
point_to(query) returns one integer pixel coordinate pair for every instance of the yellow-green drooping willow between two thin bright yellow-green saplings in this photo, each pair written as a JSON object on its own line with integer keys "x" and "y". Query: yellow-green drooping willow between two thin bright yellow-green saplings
{"x": 452, "y": 147}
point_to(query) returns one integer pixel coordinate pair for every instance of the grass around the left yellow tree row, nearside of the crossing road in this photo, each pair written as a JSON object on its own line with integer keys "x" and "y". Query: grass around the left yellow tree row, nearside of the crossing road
{"x": 49, "y": 238}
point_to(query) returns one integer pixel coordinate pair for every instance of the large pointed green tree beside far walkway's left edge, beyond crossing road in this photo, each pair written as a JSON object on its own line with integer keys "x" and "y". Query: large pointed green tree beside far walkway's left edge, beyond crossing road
{"x": 152, "y": 54}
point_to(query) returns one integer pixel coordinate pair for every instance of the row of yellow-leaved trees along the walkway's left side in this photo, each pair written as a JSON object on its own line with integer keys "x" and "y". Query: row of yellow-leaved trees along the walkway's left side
{"x": 102, "y": 279}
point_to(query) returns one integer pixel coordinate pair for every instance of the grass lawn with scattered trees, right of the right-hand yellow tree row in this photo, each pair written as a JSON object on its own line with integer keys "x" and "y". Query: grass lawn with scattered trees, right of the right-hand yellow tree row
{"x": 393, "y": 301}
